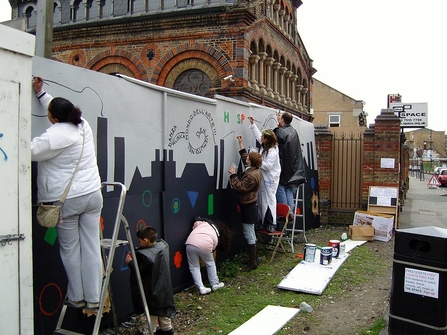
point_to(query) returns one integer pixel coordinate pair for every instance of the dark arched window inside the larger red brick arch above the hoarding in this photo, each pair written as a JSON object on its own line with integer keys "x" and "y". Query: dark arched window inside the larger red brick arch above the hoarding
{"x": 193, "y": 81}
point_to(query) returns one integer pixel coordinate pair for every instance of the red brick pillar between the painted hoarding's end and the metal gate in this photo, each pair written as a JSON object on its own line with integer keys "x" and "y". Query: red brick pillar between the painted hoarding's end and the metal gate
{"x": 323, "y": 141}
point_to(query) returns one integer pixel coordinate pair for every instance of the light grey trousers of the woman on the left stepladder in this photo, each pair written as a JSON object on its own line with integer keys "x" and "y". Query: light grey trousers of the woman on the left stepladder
{"x": 80, "y": 248}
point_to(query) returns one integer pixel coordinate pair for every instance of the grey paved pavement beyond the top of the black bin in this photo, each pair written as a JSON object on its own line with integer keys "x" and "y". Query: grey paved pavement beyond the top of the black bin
{"x": 423, "y": 207}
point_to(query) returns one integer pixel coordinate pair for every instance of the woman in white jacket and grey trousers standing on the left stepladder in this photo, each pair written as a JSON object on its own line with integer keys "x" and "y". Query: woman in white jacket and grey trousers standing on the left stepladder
{"x": 57, "y": 152}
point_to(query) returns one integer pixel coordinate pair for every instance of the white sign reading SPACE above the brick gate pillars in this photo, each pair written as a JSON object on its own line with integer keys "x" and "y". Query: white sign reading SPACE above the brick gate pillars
{"x": 411, "y": 114}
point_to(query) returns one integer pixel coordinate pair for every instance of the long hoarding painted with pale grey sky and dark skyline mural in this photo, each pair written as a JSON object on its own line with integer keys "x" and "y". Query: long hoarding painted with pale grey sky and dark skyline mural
{"x": 172, "y": 152}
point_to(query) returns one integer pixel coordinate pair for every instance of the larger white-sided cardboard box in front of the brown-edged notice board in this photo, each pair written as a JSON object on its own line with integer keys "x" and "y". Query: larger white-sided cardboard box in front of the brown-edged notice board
{"x": 383, "y": 224}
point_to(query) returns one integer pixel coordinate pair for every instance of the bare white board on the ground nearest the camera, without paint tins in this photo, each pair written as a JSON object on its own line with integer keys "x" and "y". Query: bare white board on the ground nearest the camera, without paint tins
{"x": 267, "y": 322}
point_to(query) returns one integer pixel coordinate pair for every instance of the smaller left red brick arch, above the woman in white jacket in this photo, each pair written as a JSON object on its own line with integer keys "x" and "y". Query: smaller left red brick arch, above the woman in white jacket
{"x": 121, "y": 58}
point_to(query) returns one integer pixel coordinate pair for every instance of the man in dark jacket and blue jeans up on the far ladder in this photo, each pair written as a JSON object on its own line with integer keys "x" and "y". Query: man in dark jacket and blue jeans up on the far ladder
{"x": 291, "y": 160}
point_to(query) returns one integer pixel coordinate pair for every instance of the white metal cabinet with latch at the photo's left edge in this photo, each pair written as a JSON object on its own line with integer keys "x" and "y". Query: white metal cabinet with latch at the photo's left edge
{"x": 16, "y": 311}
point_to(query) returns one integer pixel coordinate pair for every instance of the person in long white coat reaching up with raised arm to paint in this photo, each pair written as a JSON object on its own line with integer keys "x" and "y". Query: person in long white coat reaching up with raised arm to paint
{"x": 271, "y": 170}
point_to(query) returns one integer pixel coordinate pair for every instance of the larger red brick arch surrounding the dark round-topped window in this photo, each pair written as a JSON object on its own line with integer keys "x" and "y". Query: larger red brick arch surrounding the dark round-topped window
{"x": 199, "y": 51}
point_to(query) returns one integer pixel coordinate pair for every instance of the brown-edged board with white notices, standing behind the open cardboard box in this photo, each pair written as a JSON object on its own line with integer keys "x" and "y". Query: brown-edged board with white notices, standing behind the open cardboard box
{"x": 384, "y": 200}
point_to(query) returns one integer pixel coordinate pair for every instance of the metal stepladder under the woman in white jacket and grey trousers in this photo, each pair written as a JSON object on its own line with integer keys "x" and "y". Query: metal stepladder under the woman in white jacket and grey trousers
{"x": 108, "y": 248}
